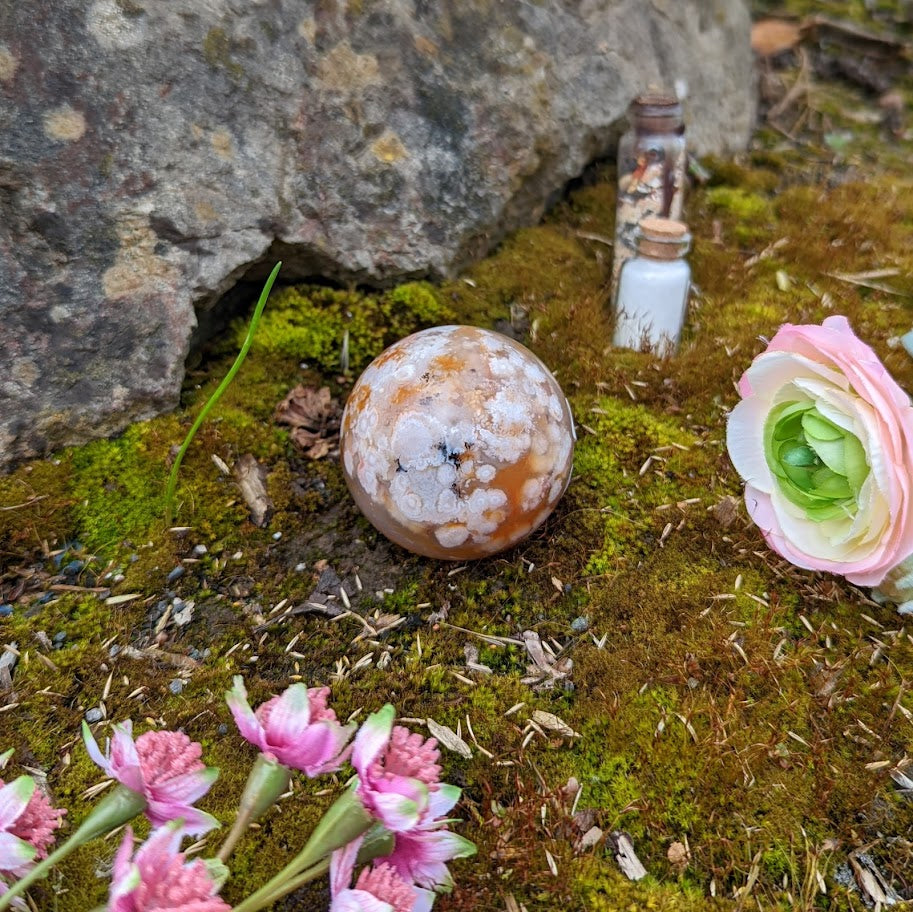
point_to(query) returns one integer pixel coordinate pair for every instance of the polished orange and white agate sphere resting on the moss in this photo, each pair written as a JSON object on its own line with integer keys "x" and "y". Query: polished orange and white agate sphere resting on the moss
{"x": 457, "y": 442}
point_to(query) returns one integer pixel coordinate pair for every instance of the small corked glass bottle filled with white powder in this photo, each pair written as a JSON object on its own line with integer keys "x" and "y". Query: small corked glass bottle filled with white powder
{"x": 652, "y": 296}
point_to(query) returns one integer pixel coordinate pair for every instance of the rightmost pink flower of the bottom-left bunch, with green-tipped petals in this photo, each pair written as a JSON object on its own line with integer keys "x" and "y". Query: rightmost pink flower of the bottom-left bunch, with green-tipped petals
{"x": 420, "y": 855}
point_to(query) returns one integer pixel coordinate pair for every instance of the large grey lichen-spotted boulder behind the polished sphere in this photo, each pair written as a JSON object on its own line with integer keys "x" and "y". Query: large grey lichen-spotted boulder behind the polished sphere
{"x": 154, "y": 152}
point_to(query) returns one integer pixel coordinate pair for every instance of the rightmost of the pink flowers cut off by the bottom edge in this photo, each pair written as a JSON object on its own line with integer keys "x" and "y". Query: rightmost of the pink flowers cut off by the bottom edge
{"x": 378, "y": 889}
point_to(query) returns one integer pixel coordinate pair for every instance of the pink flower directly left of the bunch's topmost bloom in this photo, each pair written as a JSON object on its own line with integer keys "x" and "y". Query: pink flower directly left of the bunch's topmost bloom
{"x": 163, "y": 767}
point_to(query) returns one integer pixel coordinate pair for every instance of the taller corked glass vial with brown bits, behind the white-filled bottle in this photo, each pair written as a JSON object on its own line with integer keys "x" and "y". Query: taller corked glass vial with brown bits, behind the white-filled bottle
{"x": 652, "y": 157}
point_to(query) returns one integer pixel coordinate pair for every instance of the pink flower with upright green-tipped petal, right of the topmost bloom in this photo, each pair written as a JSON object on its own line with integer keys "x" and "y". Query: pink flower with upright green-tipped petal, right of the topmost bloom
{"x": 397, "y": 771}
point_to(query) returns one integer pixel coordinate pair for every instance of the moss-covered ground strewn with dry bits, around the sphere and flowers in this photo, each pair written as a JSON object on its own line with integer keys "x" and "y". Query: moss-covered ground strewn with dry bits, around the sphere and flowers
{"x": 737, "y": 718}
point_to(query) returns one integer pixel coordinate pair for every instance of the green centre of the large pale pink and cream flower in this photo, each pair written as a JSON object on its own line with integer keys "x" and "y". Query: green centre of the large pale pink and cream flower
{"x": 819, "y": 466}
